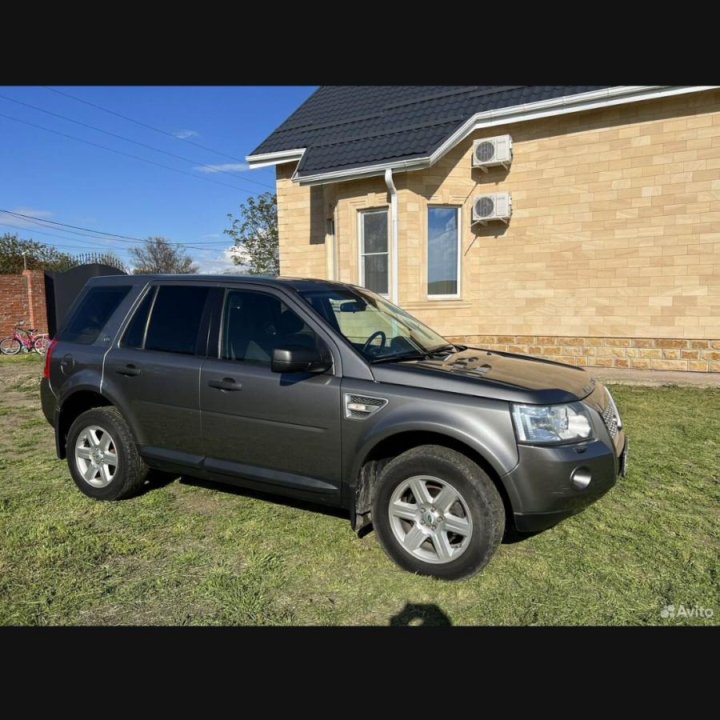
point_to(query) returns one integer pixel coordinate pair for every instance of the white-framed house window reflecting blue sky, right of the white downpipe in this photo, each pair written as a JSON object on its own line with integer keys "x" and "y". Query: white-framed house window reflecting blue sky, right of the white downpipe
{"x": 443, "y": 251}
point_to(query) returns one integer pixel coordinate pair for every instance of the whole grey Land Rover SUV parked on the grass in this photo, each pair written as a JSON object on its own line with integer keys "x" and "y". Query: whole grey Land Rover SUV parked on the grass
{"x": 326, "y": 392}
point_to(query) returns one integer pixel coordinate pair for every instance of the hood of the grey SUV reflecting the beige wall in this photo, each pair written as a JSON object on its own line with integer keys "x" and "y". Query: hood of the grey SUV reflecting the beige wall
{"x": 490, "y": 374}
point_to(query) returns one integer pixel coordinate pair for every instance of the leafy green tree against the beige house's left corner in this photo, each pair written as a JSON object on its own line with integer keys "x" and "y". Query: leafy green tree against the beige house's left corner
{"x": 256, "y": 235}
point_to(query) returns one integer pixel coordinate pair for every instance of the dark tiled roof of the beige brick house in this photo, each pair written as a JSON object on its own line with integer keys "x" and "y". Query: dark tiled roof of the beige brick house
{"x": 344, "y": 127}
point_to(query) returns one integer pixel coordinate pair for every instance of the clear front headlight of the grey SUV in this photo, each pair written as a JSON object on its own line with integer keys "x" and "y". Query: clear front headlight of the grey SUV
{"x": 552, "y": 423}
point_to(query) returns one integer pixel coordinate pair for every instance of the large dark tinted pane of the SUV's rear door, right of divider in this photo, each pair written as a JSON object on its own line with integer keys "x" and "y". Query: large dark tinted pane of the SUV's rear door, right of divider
{"x": 175, "y": 319}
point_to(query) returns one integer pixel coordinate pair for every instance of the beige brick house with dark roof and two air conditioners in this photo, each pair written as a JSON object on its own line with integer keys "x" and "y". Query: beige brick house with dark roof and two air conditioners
{"x": 573, "y": 222}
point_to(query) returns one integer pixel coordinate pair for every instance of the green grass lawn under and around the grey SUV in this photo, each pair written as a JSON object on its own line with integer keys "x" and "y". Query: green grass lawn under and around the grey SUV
{"x": 189, "y": 553}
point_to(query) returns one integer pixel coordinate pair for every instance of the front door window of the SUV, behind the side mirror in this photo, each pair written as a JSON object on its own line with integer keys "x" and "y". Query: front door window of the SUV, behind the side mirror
{"x": 255, "y": 323}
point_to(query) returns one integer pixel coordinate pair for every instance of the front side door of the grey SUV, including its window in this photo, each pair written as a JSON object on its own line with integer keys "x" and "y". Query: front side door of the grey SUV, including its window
{"x": 279, "y": 430}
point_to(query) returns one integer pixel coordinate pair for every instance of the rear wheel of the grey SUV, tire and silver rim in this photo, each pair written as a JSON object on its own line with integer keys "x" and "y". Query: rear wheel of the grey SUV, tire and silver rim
{"x": 97, "y": 437}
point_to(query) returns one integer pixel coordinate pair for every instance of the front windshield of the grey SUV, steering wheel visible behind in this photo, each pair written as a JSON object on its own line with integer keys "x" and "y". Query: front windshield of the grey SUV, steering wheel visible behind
{"x": 375, "y": 327}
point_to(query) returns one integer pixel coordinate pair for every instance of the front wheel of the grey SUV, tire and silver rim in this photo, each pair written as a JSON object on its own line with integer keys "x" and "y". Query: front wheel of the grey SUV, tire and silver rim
{"x": 438, "y": 513}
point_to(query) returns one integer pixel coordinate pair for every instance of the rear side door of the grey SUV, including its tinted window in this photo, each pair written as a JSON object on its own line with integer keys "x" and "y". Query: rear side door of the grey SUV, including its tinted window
{"x": 155, "y": 371}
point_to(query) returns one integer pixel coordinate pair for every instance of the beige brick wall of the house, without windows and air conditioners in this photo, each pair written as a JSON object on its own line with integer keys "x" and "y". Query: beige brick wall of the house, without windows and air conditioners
{"x": 615, "y": 234}
